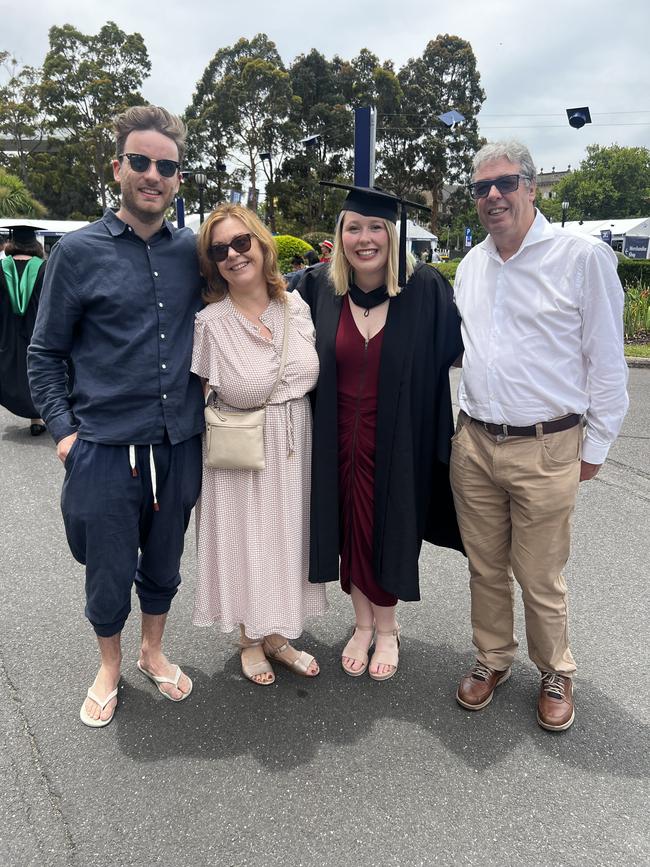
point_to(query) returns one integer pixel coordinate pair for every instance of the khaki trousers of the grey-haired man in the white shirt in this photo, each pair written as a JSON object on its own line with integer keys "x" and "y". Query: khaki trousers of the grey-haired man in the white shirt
{"x": 515, "y": 497}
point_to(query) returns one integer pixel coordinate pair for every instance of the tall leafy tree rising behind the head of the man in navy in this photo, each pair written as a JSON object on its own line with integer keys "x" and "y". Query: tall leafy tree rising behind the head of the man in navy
{"x": 86, "y": 81}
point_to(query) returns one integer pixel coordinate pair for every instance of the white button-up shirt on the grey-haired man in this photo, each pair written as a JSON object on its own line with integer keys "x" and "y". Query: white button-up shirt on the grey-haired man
{"x": 543, "y": 334}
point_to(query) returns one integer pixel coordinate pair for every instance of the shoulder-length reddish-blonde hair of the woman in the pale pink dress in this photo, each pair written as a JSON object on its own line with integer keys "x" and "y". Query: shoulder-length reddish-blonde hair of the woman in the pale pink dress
{"x": 217, "y": 286}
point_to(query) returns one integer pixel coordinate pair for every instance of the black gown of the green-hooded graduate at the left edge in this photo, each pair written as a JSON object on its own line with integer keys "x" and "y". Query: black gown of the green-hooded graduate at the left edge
{"x": 15, "y": 336}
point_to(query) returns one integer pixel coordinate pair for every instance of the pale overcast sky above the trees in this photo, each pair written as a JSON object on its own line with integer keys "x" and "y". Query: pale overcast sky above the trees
{"x": 535, "y": 58}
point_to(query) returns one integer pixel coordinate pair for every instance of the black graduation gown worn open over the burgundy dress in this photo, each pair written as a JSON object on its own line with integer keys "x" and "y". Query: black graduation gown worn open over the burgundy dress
{"x": 413, "y": 499}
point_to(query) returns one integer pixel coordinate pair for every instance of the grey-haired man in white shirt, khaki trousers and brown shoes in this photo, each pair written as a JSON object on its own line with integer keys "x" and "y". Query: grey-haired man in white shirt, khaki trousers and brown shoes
{"x": 543, "y": 333}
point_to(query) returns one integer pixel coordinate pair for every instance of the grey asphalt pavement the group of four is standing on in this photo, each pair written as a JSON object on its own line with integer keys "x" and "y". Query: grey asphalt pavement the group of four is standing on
{"x": 331, "y": 771}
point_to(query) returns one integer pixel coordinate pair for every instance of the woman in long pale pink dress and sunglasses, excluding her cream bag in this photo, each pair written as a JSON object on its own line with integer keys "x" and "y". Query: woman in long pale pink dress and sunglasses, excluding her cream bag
{"x": 253, "y": 525}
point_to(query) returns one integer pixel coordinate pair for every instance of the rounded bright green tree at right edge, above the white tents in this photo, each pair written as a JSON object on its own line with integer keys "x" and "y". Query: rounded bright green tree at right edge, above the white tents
{"x": 611, "y": 182}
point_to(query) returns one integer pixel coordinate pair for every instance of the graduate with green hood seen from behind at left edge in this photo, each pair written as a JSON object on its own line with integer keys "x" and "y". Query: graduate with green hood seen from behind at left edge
{"x": 21, "y": 280}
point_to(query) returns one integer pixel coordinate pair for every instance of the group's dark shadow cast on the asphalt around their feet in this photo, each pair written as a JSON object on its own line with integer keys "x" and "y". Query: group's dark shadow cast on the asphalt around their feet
{"x": 284, "y": 725}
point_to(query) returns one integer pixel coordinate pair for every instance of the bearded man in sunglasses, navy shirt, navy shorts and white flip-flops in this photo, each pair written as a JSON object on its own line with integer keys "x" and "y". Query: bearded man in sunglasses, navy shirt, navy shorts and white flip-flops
{"x": 109, "y": 368}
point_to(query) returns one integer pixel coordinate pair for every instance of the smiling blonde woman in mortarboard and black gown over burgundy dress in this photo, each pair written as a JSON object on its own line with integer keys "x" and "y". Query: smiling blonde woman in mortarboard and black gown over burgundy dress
{"x": 386, "y": 336}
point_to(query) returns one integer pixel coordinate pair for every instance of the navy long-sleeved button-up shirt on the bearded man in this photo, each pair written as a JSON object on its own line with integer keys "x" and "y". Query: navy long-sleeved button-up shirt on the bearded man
{"x": 117, "y": 313}
